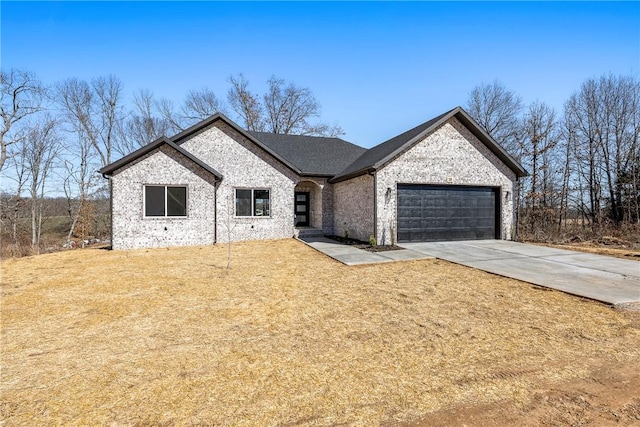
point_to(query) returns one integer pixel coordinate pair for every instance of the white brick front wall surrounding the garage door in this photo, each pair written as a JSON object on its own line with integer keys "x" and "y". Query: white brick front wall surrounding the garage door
{"x": 451, "y": 155}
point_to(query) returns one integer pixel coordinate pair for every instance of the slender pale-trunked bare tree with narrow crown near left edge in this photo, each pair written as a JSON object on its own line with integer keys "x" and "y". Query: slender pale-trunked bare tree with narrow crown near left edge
{"x": 41, "y": 149}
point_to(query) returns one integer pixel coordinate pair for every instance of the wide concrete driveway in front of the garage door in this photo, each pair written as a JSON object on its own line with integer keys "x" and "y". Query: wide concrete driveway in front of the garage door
{"x": 602, "y": 278}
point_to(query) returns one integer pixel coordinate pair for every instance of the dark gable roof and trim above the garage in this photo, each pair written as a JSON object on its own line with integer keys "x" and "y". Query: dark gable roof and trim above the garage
{"x": 379, "y": 155}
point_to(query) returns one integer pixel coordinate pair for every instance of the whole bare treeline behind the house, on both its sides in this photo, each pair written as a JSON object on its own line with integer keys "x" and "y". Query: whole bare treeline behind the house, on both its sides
{"x": 584, "y": 161}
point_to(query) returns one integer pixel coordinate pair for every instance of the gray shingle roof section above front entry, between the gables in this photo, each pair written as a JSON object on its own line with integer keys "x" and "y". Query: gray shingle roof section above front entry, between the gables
{"x": 311, "y": 155}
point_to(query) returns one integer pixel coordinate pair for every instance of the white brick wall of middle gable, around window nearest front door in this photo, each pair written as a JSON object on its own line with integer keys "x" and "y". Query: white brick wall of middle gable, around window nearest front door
{"x": 244, "y": 165}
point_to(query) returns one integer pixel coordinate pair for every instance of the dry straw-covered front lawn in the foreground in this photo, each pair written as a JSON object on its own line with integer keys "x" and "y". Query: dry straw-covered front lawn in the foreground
{"x": 285, "y": 337}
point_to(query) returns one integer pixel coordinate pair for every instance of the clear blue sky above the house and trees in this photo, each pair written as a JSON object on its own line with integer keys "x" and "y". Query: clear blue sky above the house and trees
{"x": 377, "y": 68}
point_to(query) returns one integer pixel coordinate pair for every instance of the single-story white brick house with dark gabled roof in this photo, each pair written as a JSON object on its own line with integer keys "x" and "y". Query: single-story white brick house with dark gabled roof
{"x": 445, "y": 179}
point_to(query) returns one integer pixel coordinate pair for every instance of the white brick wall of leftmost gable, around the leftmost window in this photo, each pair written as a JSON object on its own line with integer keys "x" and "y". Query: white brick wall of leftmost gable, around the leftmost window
{"x": 130, "y": 229}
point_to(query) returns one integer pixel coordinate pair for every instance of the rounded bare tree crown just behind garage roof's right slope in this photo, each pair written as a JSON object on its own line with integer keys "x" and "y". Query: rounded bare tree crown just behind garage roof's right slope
{"x": 497, "y": 109}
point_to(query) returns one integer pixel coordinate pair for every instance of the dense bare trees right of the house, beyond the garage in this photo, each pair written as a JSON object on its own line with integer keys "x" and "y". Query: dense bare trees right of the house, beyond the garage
{"x": 584, "y": 161}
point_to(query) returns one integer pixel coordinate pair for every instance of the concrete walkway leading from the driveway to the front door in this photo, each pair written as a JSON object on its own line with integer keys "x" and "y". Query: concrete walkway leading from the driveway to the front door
{"x": 353, "y": 256}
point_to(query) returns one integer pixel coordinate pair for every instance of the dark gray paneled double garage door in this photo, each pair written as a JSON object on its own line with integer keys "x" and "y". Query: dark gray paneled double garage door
{"x": 428, "y": 213}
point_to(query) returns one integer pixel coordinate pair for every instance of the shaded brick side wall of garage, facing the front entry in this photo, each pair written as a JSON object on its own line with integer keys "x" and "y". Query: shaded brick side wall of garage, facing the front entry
{"x": 354, "y": 208}
